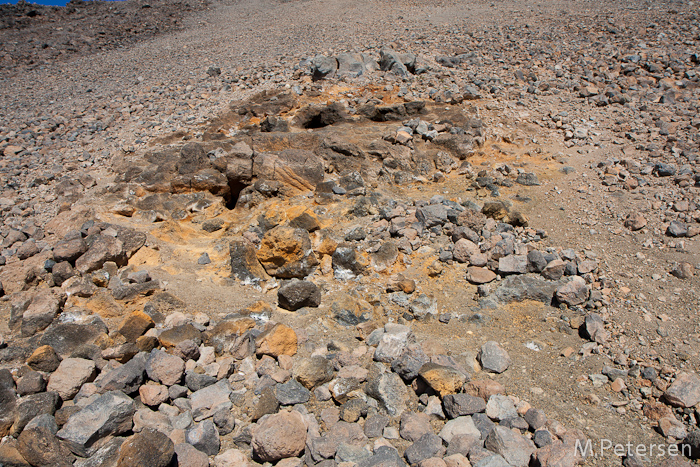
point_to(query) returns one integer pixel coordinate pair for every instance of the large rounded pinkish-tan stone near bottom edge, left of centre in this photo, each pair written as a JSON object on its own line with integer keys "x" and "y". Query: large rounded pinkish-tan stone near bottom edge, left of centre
{"x": 279, "y": 436}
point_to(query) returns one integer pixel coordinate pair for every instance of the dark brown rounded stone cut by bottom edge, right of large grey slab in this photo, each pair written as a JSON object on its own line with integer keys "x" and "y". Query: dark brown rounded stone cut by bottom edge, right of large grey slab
{"x": 149, "y": 447}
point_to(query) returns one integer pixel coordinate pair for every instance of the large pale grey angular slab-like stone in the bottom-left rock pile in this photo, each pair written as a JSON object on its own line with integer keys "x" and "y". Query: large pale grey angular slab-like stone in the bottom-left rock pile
{"x": 109, "y": 414}
